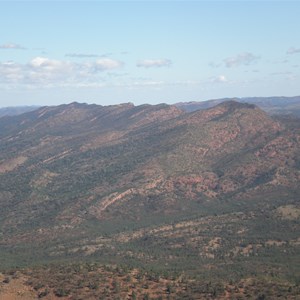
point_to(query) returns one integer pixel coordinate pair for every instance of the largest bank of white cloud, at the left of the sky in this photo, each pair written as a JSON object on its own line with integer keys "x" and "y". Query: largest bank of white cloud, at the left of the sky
{"x": 46, "y": 72}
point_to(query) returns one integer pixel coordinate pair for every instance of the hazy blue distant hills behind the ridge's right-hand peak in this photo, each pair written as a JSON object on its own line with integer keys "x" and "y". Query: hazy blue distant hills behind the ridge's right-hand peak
{"x": 272, "y": 105}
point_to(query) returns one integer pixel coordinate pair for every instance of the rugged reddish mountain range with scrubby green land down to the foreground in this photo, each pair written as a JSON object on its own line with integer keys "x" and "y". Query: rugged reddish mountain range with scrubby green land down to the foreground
{"x": 150, "y": 201}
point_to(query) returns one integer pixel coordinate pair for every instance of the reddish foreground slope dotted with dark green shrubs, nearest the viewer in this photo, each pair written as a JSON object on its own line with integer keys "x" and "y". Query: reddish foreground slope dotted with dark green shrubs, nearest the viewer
{"x": 94, "y": 281}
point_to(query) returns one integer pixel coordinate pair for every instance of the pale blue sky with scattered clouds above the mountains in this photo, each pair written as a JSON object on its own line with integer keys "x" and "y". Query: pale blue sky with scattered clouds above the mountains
{"x": 108, "y": 52}
